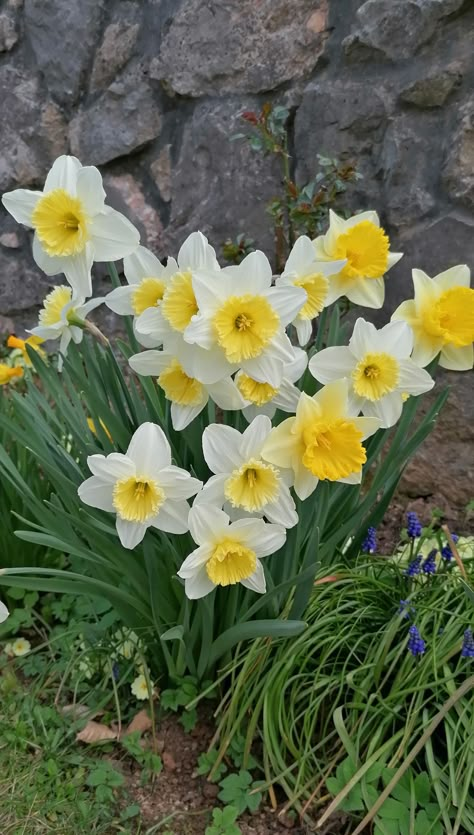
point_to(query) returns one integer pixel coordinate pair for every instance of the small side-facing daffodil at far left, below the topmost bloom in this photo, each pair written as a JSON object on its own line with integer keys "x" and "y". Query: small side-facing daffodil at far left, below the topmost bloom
{"x": 63, "y": 317}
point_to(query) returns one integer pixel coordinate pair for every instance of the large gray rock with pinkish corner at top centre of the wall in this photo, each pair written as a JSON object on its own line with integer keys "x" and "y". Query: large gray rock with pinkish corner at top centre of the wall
{"x": 240, "y": 45}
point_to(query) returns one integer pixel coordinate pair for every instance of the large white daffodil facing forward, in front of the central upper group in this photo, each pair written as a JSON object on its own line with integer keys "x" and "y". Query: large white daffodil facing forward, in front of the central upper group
{"x": 241, "y": 313}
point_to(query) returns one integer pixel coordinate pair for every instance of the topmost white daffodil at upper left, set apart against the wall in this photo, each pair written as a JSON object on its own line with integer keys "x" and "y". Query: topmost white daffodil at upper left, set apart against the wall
{"x": 73, "y": 226}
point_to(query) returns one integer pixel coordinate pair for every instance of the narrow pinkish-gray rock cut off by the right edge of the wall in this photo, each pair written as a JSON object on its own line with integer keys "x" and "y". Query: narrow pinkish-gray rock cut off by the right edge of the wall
{"x": 458, "y": 174}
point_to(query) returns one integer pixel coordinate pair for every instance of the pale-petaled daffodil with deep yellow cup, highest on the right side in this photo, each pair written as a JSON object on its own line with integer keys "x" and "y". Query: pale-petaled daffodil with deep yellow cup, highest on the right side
{"x": 365, "y": 247}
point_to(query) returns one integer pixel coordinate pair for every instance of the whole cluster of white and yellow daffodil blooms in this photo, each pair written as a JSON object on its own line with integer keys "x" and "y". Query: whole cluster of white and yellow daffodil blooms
{"x": 239, "y": 344}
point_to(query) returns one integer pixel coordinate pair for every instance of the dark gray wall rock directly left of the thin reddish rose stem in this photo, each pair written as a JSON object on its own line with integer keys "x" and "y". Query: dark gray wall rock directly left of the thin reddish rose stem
{"x": 218, "y": 186}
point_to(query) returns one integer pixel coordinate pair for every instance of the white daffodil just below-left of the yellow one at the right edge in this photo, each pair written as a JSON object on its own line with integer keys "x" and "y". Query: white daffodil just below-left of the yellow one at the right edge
{"x": 379, "y": 369}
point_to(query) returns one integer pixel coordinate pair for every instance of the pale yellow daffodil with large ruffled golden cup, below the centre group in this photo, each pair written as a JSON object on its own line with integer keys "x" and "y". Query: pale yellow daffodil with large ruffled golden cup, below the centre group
{"x": 322, "y": 441}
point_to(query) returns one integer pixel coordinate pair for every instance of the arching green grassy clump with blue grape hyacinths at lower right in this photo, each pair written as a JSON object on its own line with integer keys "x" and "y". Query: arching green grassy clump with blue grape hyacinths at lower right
{"x": 340, "y": 707}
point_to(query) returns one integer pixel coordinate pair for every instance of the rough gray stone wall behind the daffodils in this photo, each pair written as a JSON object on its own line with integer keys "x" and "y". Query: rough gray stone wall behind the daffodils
{"x": 151, "y": 90}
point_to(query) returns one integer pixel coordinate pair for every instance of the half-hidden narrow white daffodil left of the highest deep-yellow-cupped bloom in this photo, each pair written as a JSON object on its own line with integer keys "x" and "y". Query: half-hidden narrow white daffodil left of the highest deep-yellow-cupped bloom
{"x": 302, "y": 270}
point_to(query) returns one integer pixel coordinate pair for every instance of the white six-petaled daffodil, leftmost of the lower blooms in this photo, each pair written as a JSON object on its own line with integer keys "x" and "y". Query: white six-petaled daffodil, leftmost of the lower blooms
{"x": 141, "y": 487}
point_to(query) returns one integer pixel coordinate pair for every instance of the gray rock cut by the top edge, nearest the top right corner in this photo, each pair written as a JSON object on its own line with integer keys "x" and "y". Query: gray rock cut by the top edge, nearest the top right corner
{"x": 395, "y": 29}
